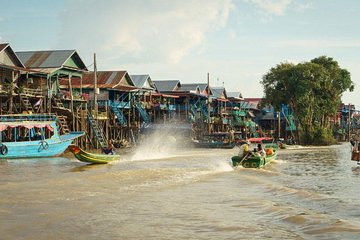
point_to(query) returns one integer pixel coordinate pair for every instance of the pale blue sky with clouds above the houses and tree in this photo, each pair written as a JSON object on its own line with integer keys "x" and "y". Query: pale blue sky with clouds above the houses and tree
{"x": 235, "y": 41}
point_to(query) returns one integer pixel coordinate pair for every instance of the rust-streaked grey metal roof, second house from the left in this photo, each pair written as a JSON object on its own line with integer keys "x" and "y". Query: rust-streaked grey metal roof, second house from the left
{"x": 49, "y": 59}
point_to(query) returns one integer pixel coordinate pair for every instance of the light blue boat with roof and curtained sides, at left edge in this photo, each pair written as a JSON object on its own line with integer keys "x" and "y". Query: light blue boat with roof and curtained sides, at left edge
{"x": 32, "y": 136}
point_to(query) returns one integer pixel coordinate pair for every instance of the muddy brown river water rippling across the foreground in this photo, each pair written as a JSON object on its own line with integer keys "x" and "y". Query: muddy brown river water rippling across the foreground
{"x": 180, "y": 193}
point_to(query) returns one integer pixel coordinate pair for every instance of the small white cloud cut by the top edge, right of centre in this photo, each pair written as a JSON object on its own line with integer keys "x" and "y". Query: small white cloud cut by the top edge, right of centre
{"x": 273, "y": 7}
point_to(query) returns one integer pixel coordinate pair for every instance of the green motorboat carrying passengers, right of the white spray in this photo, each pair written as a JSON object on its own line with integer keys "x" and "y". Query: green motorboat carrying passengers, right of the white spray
{"x": 254, "y": 160}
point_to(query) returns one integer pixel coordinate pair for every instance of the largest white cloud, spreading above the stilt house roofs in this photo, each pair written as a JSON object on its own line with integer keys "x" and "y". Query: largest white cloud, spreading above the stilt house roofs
{"x": 141, "y": 31}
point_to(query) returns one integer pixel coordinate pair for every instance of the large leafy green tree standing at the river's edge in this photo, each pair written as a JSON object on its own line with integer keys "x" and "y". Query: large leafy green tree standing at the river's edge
{"x": 312, "y": 90}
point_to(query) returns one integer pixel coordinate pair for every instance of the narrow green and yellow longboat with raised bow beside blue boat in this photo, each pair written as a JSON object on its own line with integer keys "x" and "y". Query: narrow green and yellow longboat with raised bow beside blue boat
{"x": 93, "y": 158}
